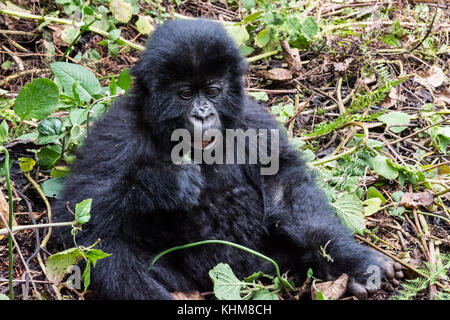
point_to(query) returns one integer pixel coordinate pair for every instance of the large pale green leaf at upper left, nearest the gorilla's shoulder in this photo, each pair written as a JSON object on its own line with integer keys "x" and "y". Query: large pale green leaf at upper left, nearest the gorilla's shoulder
{"x": 69, "y": 73}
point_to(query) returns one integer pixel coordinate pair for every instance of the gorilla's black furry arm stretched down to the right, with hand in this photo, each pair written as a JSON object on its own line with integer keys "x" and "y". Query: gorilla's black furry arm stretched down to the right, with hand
{"x": 298, "y": 213}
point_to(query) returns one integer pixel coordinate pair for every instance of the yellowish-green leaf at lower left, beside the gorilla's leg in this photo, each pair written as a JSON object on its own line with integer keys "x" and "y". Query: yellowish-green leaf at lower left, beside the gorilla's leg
{"x": 59, "y": 263}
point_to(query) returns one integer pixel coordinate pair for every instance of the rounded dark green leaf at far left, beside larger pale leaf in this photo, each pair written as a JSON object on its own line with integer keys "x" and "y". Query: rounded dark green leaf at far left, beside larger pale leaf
{"x": 36, "y": 99}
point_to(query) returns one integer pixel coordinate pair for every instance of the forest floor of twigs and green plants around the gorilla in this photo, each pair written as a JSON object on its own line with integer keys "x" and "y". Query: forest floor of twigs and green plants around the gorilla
{"x": 362, "y": 88}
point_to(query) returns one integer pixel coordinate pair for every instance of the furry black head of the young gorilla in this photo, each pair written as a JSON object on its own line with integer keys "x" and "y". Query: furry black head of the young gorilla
{"x": 192, "y": 74}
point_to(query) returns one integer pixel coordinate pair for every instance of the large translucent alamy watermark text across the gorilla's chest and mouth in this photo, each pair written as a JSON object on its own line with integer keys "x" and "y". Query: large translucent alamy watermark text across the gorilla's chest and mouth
{"x": 236, "y": 146}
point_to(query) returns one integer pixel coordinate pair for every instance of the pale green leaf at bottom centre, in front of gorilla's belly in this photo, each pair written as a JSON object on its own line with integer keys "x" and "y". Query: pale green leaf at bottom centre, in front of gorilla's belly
{"x": 226, "y": 285}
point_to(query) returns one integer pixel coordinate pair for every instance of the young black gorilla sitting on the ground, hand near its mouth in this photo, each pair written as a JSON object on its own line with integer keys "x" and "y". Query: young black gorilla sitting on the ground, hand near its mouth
{"x": 190, "y": 77}
